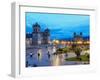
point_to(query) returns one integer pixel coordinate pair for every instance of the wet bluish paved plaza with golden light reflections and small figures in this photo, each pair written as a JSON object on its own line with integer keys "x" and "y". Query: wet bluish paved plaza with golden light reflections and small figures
{"x": 44, "y": 57}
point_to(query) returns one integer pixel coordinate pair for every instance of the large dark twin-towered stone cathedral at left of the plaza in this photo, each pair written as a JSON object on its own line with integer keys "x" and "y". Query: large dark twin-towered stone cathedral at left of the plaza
{"x": 39, "y": 37}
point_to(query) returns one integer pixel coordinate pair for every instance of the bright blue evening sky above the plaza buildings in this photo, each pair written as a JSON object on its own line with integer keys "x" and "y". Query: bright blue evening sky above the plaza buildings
{"x": 61, "y": 25}
